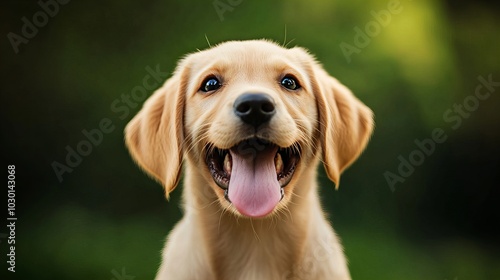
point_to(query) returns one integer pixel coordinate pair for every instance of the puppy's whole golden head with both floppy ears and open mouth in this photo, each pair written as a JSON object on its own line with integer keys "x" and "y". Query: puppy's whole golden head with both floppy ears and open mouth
{"x": 250, "y": 117}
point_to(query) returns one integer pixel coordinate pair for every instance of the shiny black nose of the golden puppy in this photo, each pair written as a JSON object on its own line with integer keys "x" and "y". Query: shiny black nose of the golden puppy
{"x": 254, "y": 108}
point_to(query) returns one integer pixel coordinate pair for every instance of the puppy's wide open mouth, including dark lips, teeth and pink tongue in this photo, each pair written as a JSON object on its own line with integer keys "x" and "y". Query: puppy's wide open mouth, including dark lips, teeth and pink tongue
{"x": 253, "y": 173}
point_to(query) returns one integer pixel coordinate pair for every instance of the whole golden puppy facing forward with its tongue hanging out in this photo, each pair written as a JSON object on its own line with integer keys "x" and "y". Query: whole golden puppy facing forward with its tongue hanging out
{"x": 250, "y": 121}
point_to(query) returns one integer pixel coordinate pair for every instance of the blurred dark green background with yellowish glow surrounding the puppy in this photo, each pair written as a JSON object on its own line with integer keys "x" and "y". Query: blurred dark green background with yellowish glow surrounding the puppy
{"x": 108, "y": 220}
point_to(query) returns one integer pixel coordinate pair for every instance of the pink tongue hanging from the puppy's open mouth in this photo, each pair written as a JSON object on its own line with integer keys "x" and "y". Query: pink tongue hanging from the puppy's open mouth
{"x": 254, "y": 189}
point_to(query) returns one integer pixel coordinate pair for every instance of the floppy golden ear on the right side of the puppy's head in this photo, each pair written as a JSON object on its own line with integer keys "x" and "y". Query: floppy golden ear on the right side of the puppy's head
{"x": 345, "y": 124}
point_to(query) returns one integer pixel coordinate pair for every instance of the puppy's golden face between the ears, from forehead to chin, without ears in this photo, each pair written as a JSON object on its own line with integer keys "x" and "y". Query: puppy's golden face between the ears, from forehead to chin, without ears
{"x": 250, "y": 119}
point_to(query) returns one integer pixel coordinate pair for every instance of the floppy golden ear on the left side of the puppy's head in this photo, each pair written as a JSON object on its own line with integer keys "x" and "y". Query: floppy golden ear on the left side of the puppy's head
{"x": 154, "y": 136}
